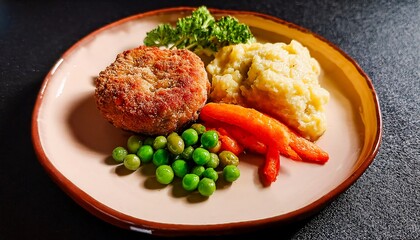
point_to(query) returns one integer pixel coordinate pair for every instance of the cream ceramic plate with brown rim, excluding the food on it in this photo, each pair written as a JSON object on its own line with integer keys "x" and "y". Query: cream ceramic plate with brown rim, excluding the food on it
{"x": 74, "y": 143}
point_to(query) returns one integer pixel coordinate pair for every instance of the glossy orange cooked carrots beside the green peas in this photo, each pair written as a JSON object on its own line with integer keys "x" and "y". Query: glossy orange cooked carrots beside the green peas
{"x": 276, "y": 136}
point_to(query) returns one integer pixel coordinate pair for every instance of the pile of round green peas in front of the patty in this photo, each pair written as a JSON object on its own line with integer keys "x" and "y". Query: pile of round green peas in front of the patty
{"x": 194, "y": 155}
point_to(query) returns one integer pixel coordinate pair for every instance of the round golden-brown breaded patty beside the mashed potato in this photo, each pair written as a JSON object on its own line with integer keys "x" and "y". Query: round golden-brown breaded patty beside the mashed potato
{"x": 152, "y": 91}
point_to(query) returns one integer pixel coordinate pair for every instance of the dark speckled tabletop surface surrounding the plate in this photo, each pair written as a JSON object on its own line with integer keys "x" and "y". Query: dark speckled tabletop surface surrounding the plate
{"x": 382, "y": 36}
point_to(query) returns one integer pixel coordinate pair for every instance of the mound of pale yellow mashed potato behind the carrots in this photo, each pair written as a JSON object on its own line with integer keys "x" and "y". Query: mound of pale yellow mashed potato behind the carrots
{"x": 276, "y": 78}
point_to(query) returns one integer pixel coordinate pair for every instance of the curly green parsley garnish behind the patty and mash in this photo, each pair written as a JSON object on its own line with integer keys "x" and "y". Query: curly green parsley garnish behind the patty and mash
{"x": 200, "y": 32}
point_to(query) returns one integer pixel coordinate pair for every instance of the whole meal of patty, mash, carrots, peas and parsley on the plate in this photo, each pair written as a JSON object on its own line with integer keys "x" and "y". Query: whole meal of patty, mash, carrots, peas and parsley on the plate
{"x": 194, "y": 129}
